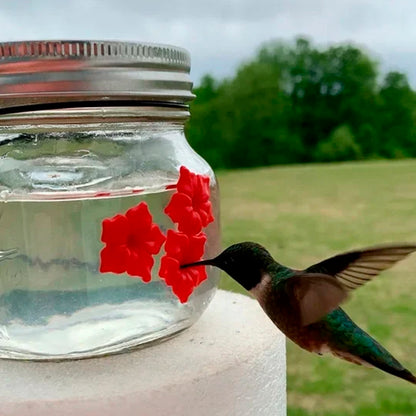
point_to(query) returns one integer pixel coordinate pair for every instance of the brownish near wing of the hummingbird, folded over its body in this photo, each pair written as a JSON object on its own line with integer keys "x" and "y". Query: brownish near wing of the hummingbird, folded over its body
{"x": 311, "y": 296}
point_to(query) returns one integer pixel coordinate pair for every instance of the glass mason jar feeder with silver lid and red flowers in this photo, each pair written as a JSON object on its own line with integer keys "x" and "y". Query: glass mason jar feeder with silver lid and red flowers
{"x": 101, "y": 199}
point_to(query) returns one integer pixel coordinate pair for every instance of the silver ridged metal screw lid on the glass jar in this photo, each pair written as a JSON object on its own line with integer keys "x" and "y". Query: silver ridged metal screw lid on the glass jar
{"x": 52, "y": 73}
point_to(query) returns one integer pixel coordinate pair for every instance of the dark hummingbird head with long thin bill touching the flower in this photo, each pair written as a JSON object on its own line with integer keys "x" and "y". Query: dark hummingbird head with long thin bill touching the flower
{"x": 244, "y": 262}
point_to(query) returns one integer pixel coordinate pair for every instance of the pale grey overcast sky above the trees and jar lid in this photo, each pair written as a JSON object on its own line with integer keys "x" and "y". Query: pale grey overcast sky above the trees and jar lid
{"x": 221, "y": 34}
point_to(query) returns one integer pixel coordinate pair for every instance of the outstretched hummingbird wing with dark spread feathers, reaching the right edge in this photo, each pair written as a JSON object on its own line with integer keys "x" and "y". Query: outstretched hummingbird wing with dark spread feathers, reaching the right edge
{"x": 355, "y": 268}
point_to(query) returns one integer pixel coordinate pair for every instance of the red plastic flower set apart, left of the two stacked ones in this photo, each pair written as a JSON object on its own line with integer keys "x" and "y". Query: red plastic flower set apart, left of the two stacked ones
{"x": 131, "y": 242}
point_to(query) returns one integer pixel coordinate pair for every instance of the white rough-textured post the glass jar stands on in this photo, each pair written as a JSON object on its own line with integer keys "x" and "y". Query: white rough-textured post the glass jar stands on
{"x": 231, "y": 362}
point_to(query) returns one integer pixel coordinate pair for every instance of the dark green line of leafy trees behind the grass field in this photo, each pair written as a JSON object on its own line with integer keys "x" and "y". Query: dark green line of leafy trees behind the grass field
{"x": 296, "y": 103}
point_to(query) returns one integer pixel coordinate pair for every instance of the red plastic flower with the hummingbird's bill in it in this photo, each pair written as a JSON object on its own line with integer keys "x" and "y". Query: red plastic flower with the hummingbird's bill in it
{"x": 181, "y": 249}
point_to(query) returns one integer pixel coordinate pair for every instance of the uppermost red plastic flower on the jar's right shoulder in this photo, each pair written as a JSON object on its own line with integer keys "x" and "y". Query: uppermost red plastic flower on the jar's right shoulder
{"x": 190, "y": 206}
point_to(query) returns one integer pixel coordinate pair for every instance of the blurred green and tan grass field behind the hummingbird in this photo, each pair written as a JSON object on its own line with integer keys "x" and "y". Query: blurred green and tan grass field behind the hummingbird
{"x": 304, "y": 214}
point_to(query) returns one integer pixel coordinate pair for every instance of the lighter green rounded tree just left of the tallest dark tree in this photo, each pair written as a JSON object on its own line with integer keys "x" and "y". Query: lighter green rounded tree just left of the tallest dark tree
{"x": 255, "y": 119}
